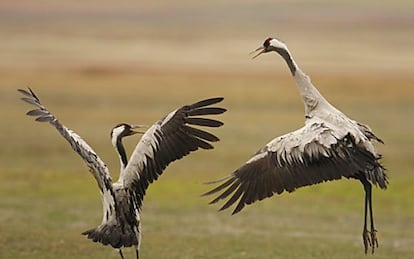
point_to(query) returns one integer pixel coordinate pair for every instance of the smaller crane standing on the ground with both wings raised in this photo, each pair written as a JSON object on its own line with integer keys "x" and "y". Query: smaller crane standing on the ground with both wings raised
{"x": 169, "y": 139}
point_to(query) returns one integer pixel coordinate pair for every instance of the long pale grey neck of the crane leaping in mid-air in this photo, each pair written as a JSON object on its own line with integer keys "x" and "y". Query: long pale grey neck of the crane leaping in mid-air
{"x": 310, "y": 95}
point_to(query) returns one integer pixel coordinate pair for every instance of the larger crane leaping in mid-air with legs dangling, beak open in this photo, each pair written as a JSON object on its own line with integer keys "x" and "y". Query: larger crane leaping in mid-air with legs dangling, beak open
{"x": 328, "y": 147}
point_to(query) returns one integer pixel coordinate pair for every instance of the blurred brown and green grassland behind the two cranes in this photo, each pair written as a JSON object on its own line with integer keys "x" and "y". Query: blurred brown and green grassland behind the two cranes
{"x": 97, "y": 63}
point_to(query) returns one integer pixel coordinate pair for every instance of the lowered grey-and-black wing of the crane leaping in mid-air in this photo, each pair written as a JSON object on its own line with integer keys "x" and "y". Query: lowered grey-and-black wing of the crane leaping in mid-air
{"x": 313, "y": 154}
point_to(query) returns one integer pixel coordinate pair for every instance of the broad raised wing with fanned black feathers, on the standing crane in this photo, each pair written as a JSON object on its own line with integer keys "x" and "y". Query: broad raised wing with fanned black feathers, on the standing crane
{"x": 167, "y": 140}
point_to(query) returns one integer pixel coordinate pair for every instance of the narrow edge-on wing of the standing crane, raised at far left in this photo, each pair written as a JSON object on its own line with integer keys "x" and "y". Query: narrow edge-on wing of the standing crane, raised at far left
{"x": 96, "y": 166}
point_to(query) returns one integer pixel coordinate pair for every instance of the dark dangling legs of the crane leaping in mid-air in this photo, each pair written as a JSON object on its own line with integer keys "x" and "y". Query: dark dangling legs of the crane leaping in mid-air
{"x": 369, "y": 237}
